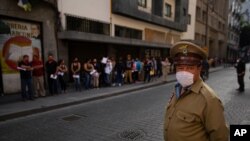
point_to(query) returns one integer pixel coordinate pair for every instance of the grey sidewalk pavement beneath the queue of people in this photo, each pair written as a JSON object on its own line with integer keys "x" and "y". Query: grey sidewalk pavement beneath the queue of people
{"x": 19, "y": 108}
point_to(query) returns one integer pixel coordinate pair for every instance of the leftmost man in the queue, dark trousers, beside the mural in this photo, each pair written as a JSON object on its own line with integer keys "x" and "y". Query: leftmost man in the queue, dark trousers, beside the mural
{"x": 25, "y": 68}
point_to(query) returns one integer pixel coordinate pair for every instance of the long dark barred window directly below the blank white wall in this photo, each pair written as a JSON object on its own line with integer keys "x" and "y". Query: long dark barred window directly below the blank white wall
{"x": 87, "y": 25}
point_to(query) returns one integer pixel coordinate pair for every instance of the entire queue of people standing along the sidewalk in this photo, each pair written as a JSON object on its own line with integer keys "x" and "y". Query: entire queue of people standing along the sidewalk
{"x": 87, "y": 75}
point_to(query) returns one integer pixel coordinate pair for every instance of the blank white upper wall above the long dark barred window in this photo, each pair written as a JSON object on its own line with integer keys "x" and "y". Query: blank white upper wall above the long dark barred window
{"x": 93, "y": 9}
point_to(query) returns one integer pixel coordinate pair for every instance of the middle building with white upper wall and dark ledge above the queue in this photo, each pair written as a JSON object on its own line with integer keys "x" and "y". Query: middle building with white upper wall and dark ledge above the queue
{"x": 142, "y": 28}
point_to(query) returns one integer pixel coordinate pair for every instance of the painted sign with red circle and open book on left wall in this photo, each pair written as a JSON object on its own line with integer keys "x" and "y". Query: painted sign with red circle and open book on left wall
{"x": 17, "y": 38}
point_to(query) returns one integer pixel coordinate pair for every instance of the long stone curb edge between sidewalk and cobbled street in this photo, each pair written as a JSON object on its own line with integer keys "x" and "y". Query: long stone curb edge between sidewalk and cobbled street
{"x": 53, "y": 107}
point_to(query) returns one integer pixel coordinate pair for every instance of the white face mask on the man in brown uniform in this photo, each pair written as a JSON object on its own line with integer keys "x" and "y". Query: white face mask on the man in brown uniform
{"x": 185, "y": 78}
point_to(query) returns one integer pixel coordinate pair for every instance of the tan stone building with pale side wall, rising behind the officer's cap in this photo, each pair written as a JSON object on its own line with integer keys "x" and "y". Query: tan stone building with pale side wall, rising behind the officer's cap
{"x": 208, "y": 26}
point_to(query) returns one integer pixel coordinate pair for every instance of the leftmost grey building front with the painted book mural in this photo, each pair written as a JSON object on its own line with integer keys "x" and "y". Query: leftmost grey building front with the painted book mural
{"x": 25, "y": 28}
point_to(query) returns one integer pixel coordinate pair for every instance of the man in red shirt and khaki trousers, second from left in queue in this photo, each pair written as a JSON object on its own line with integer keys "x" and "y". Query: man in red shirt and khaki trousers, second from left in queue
{"x": 38, "y": 76}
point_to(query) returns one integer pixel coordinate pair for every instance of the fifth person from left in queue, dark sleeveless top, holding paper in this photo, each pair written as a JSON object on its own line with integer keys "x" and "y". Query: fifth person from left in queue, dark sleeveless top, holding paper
{"x": 75, "y": 69}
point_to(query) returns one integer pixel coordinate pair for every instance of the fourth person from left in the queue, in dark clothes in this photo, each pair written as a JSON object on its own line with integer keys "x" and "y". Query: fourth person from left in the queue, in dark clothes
{"x": 61, "y": 71}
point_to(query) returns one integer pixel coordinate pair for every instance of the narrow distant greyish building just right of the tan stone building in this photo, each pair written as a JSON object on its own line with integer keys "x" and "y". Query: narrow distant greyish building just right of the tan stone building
{"x": 234, "y": 15}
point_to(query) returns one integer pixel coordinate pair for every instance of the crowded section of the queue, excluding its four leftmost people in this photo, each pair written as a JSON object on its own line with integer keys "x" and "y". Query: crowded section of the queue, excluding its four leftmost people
{"x": 110, "y": 72}
